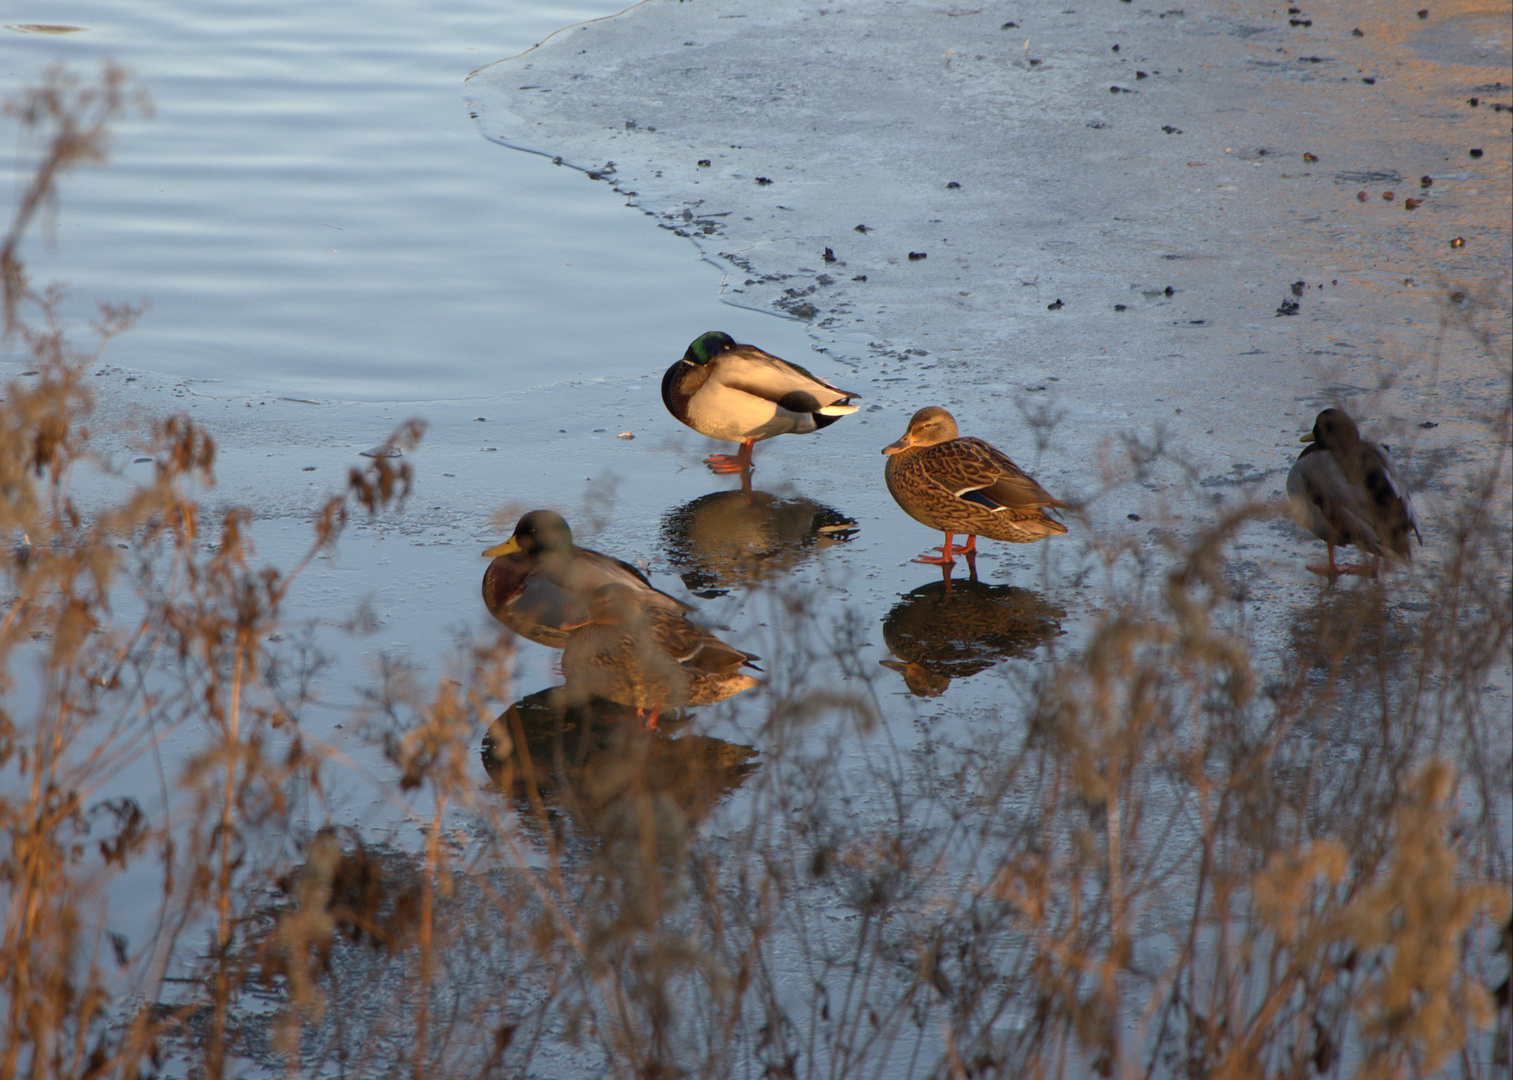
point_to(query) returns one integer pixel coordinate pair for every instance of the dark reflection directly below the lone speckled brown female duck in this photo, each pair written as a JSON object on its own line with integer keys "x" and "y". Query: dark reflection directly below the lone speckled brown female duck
{"x": 940, "y": 635}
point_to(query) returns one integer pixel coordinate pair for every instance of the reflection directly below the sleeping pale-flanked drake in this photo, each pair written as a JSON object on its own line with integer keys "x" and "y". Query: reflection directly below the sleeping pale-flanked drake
{"x": 725, "y": 541}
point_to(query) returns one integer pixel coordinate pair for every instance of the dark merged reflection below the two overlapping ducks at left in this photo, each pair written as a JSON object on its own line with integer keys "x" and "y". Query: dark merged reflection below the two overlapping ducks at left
{"x": 586, "y": 760}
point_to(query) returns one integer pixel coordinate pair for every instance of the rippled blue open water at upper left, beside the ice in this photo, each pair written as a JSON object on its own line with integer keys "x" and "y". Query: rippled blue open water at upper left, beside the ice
{"x": 311, "y": 209}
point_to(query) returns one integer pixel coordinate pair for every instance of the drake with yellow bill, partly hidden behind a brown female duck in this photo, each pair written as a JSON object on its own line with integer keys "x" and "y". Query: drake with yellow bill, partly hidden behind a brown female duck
{"x": 541, "y": 583}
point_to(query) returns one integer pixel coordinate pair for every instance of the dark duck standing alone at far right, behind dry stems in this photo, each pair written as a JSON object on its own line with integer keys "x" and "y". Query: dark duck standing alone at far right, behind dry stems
{"x": 1346, "y": 491}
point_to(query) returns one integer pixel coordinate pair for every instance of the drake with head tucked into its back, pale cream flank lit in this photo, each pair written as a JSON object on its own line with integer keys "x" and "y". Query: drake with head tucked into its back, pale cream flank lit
{"x": 744, "y": 396}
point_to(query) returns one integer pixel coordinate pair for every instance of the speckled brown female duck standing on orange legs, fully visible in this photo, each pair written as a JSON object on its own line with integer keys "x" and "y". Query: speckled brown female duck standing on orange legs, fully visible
{"x": 965, "y": 486}
